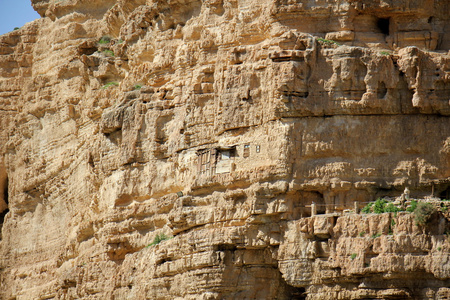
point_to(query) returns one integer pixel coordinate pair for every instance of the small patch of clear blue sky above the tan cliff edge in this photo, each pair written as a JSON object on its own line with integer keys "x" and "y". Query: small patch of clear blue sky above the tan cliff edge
{"x": 15, "y": 13}
